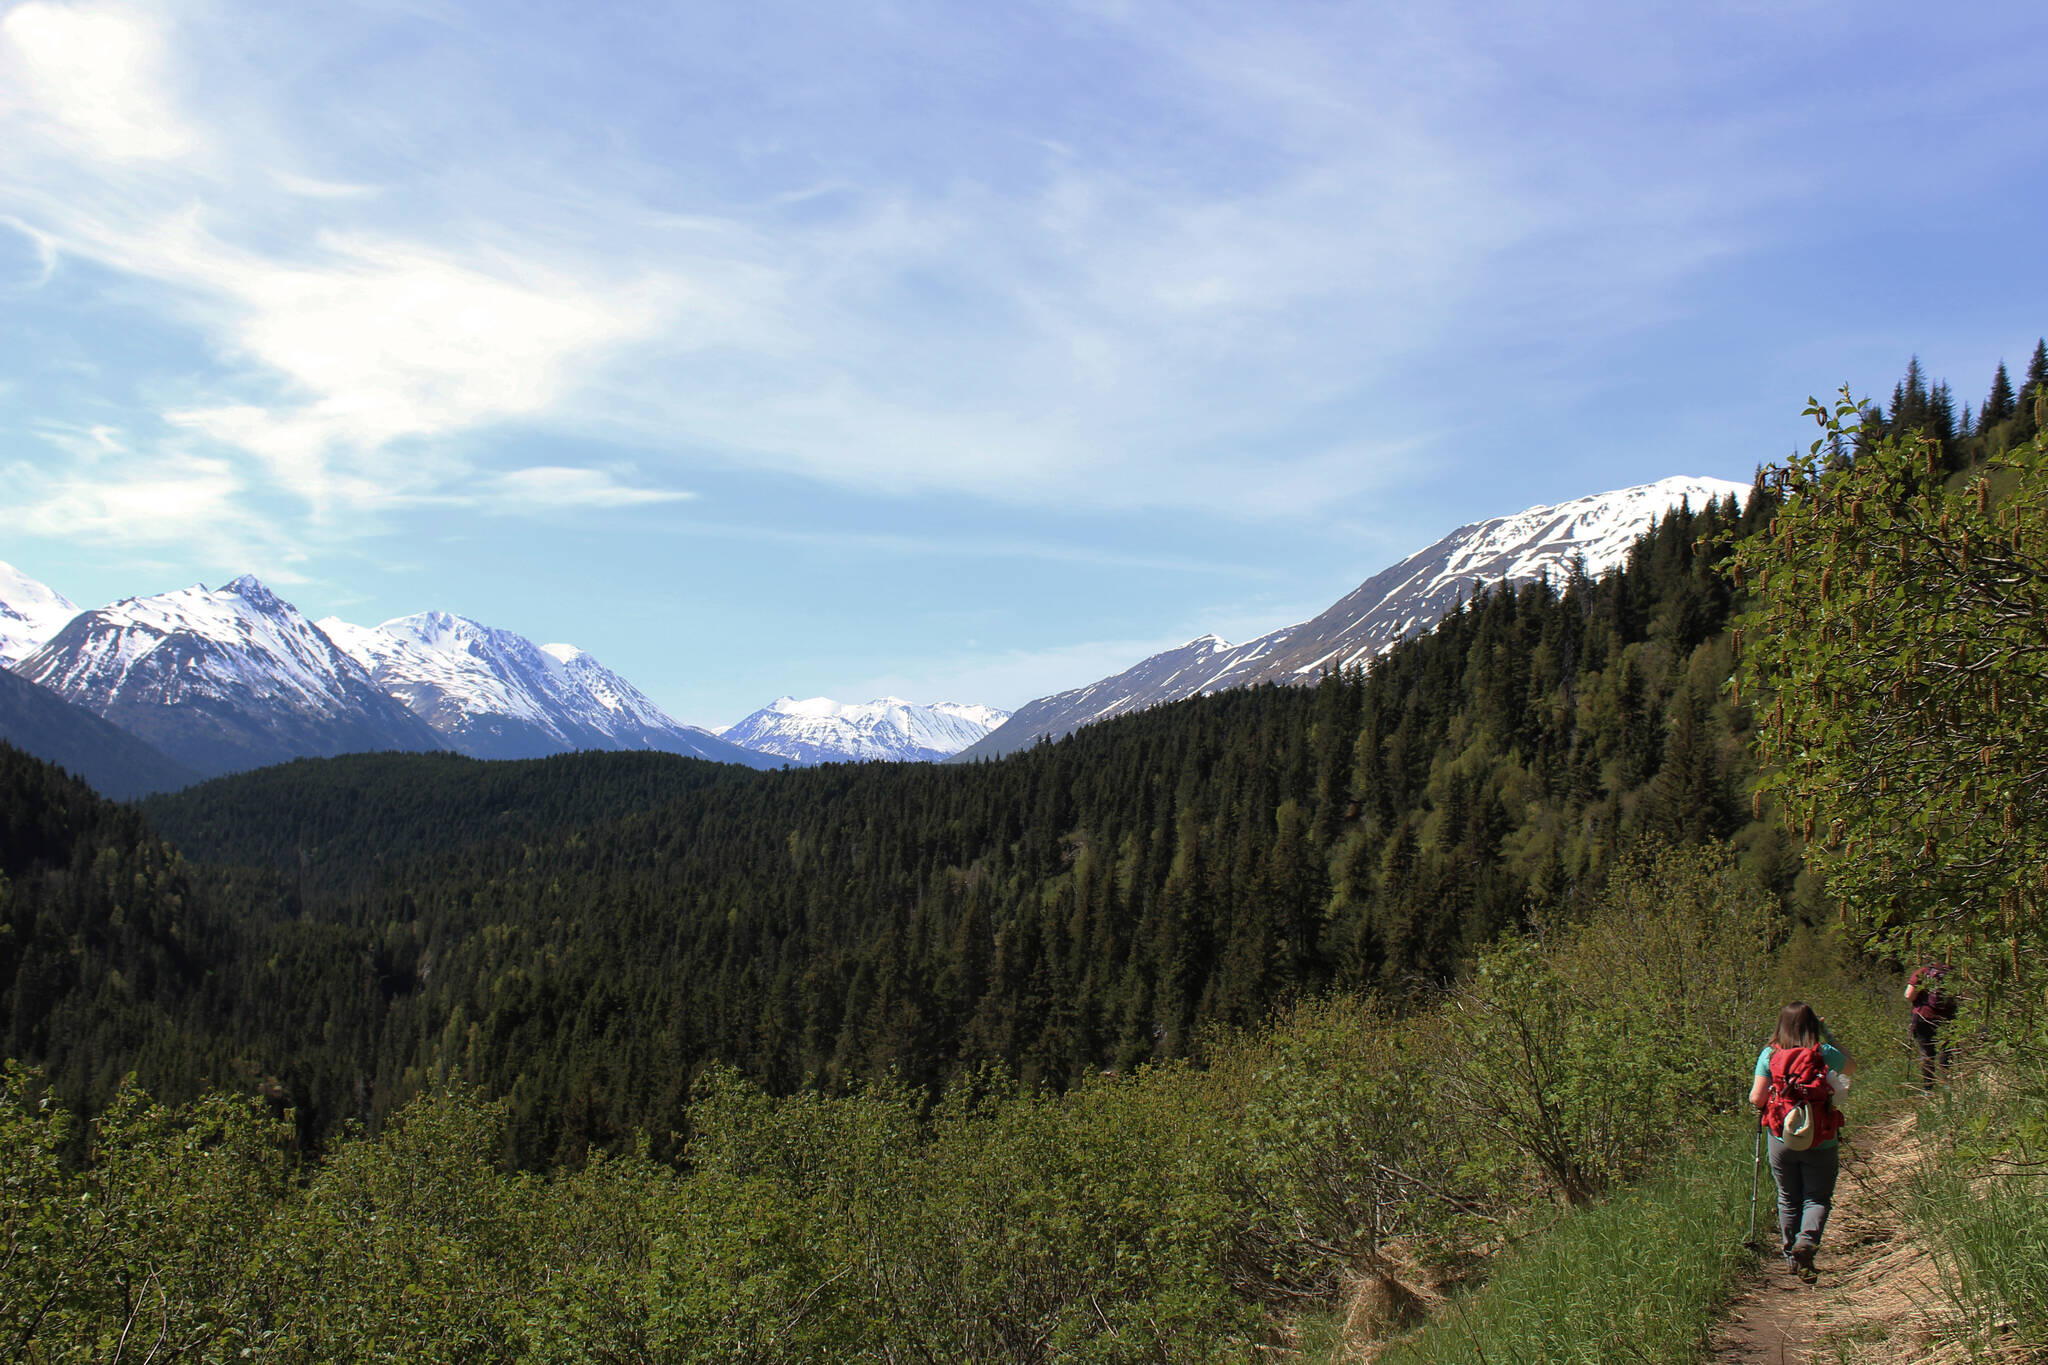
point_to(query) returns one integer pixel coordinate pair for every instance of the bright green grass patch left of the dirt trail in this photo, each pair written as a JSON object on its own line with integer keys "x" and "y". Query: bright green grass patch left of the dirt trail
{"x": 1637, "y": 1278}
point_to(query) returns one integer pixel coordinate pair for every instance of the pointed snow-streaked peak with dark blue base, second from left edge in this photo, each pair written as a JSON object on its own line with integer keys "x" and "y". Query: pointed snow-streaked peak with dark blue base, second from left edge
{"x": 222, "y": 680}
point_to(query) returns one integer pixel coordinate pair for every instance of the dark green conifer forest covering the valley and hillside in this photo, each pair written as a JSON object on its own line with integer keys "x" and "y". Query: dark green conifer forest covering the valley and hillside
{"x": 583, "y": 936}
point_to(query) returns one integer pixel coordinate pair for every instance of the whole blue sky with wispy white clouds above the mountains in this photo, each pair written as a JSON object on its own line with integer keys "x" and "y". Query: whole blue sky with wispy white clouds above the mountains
{"x": 953, "y": 351}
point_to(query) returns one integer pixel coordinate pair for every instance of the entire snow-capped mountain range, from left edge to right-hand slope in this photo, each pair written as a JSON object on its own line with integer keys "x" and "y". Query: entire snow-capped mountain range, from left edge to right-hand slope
{"x": 218, "y": 680}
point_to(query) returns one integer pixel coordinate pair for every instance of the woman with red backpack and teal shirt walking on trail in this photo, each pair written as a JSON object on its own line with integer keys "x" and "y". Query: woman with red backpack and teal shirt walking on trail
{"x": 1797, "y": 1084}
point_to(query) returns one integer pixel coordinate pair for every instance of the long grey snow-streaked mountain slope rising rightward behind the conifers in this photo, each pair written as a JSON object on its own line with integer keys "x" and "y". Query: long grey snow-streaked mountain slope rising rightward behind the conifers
{"x": 1388, "y": 609}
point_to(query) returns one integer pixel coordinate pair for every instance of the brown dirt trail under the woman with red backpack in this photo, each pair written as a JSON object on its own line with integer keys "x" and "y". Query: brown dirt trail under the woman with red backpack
{"x": 1877, "y": 1301}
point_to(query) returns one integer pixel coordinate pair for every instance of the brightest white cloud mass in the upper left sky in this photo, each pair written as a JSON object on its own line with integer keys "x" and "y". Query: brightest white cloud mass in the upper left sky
{"x": 345, "y": 351}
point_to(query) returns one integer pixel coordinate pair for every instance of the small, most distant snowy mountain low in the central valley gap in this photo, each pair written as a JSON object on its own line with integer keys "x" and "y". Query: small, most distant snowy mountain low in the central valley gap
{"x": 826, "y": 732}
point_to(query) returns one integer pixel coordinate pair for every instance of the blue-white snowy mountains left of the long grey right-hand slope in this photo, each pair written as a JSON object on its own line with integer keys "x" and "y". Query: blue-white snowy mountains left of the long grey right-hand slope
{"x": 155, "y": 693}
